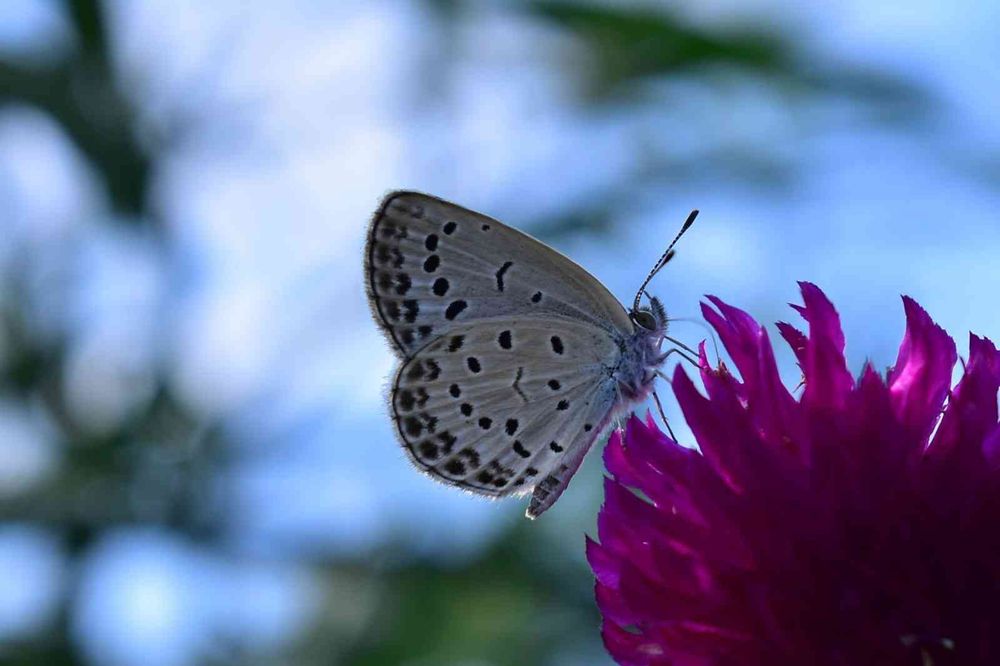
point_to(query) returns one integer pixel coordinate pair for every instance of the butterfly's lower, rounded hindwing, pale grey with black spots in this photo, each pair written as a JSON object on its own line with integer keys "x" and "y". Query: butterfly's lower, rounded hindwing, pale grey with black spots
{"x": 505, "y": 405}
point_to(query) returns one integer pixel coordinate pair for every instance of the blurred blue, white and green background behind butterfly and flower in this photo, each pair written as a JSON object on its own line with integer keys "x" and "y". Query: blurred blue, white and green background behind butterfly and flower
{"x": 196, "y": 466}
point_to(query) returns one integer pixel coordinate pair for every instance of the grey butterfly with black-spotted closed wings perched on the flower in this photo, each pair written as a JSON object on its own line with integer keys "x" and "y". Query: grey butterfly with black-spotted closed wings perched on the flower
{"x": 513, "y": 358}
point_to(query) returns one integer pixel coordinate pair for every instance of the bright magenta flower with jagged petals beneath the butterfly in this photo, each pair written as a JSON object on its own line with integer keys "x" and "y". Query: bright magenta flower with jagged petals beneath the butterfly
{"x": 858, "y": 524}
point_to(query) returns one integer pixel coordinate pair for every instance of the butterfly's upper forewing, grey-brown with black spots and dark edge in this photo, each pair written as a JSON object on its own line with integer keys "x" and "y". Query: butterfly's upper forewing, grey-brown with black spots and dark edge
{"x": 432, "y": 266}
